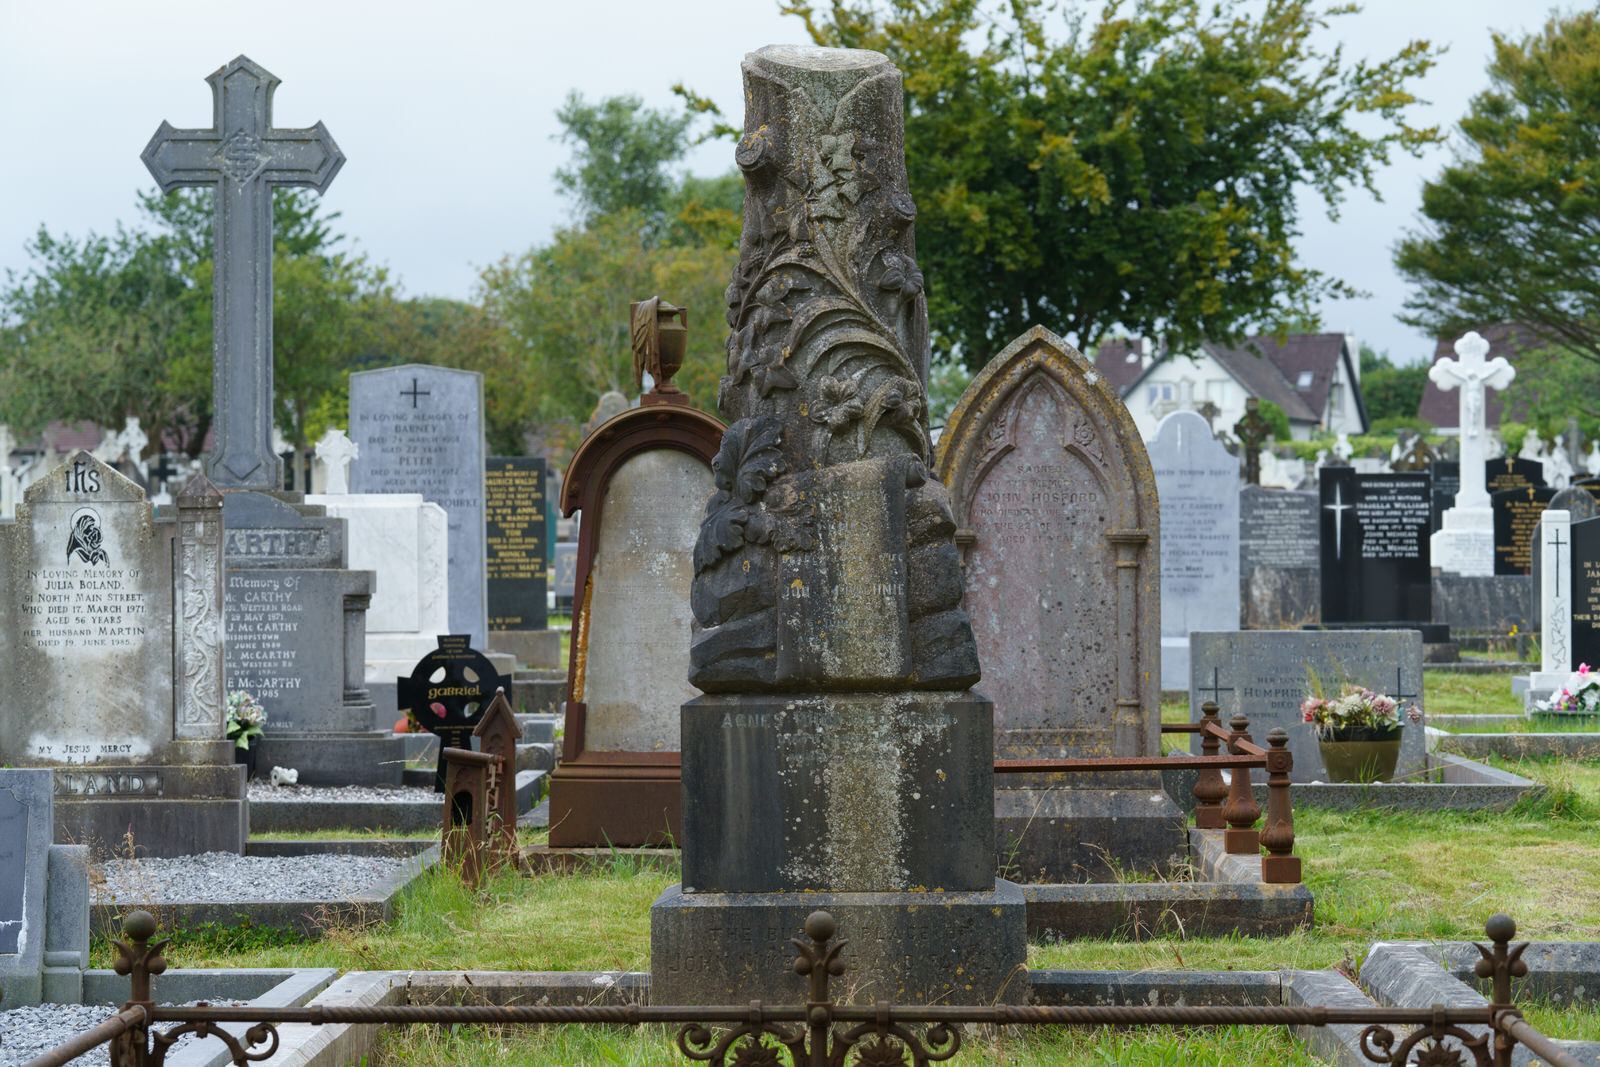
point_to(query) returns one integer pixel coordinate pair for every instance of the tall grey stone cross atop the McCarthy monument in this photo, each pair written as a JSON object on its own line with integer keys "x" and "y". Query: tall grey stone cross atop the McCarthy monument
{"x": 242, "y": 158}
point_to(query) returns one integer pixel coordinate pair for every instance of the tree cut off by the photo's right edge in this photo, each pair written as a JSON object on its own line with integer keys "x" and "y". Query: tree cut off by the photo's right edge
{"x": 1511, "y": 231}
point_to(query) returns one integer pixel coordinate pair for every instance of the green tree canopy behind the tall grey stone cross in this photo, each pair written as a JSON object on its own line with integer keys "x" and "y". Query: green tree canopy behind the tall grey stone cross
{"x": 108, "y": 327}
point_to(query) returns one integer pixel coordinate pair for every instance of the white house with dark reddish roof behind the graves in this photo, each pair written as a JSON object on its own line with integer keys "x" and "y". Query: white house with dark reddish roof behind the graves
{"x": 1316, "y": 378}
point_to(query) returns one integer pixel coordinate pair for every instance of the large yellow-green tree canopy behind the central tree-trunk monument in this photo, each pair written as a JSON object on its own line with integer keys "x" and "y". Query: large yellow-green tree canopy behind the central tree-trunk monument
{"x": 1140, "y": 172}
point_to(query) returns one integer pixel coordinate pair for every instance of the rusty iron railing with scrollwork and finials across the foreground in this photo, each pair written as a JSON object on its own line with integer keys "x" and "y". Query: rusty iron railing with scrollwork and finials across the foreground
{"x": 823, "y": 1033}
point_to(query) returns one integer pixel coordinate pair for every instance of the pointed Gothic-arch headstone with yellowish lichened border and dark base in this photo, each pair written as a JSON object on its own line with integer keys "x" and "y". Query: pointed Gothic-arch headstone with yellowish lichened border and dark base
{"x": 1057, "y": 514}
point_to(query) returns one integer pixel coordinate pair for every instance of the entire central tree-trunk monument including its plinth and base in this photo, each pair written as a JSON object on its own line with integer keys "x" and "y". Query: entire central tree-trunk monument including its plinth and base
{"x": 838, "y": 759}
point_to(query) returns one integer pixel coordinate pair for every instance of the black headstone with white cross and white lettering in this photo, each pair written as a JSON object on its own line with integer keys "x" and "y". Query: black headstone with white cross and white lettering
{"x": 1375, "y": 548}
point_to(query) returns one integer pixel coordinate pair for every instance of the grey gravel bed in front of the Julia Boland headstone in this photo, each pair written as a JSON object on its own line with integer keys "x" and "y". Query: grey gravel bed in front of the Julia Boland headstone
{"x": 225, "y": 877}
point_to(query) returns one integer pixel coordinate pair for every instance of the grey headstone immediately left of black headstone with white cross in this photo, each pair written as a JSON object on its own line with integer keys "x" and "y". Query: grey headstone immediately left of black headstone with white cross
{"x": 1279, "y": 567}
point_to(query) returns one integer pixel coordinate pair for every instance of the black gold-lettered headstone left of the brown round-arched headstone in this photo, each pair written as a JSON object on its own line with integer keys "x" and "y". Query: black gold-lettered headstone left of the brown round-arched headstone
{"x": 516, "y": 522}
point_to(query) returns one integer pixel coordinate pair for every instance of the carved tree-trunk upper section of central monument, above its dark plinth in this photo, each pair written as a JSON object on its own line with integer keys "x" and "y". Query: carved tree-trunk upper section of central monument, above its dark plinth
{"x": 828, "y": 556}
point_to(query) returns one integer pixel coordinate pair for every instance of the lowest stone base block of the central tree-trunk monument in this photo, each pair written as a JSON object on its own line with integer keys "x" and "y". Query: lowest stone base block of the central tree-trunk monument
{"x": 908, "y": 948}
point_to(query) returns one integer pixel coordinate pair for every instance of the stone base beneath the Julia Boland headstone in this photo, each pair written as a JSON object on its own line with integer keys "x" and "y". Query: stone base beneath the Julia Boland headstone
{"x": 161, "y": 810}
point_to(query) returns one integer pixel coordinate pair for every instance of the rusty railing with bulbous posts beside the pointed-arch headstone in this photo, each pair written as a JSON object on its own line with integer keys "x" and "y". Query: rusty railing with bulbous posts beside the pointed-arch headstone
{"x": 1220, "y": 805}
